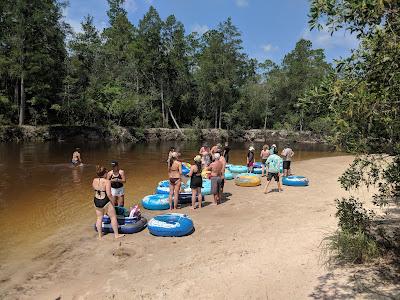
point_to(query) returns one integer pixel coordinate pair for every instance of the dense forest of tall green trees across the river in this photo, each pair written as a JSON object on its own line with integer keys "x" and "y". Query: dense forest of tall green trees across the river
{"x": 145, "y": 74}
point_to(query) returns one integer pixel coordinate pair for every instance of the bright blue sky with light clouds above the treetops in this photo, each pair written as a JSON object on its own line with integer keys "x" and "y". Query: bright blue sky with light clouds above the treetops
{"x": 270, "y": 28}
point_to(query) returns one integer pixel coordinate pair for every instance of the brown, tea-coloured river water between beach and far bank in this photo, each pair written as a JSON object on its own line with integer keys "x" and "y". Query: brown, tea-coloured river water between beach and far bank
{"x": 41, "y": 193}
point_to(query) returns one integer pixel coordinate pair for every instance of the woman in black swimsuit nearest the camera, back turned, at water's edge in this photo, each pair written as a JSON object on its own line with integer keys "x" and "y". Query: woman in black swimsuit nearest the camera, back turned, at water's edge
{"x": 102, "y": 203}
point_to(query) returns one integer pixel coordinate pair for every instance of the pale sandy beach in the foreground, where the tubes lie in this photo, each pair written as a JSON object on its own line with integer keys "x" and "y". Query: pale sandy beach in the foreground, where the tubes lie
{"x": 253, "y": 246}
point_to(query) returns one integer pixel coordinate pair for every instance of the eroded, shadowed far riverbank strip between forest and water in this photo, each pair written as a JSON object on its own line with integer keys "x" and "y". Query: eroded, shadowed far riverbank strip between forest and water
{"x": 134, "y": 135}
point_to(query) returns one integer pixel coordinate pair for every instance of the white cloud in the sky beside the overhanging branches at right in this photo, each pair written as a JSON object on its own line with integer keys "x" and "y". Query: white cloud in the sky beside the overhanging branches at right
{"x": 324, "y": 39}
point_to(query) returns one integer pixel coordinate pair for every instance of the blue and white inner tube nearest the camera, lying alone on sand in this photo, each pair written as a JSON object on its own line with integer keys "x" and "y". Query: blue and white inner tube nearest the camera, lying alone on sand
{"x": 171, "y": 225}
